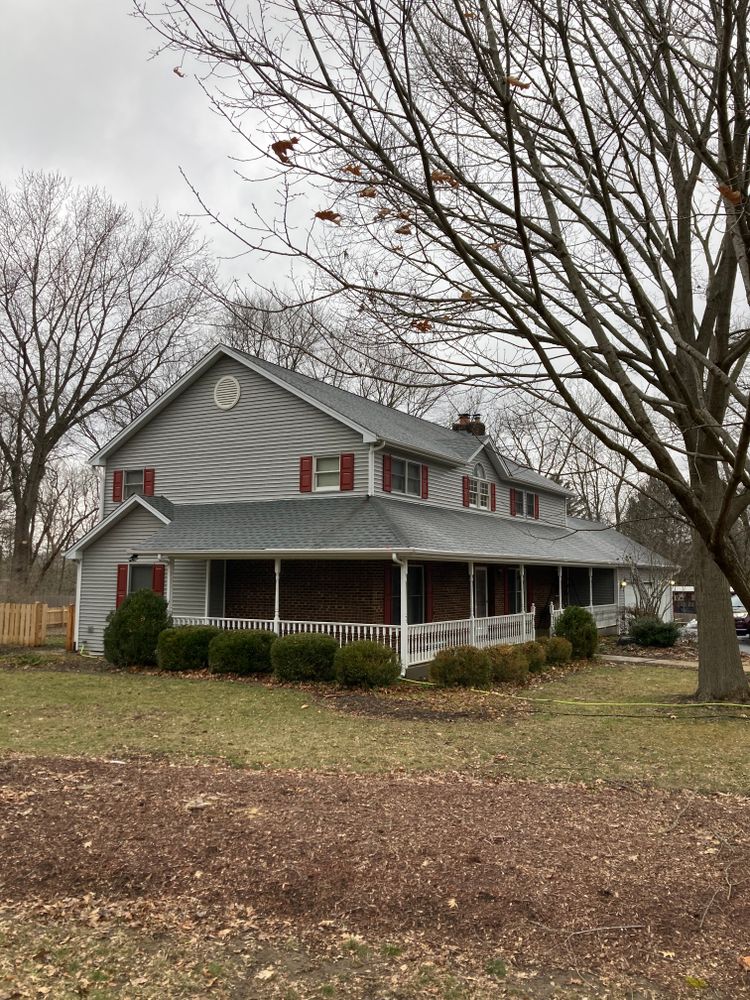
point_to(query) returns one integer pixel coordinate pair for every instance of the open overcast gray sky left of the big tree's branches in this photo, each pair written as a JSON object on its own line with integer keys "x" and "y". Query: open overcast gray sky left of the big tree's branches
{"x": 81, "y": 96}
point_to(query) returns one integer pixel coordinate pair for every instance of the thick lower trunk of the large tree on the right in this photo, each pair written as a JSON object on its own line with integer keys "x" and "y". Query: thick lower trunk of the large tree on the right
{"x": 720, "y": 673}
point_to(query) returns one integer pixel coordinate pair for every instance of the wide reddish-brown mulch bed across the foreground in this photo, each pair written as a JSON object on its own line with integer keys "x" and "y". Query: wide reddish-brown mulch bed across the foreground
{"x": 622, "y": 881}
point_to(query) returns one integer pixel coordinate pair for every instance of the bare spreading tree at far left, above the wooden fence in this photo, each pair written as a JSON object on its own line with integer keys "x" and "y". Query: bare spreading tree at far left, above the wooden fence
{"x": 95, "y": 304}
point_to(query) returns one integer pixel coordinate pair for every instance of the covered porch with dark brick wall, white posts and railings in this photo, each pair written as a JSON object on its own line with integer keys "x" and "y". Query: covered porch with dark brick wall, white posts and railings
{"x": 416, "y": 607}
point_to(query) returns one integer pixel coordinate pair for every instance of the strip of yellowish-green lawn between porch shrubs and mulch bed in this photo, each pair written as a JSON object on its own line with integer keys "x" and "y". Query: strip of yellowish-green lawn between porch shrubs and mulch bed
{"x": 259, "y": 726}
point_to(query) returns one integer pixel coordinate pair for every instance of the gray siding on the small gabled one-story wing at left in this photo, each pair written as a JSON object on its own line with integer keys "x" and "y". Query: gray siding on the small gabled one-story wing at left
{"x": 99, "y": 573}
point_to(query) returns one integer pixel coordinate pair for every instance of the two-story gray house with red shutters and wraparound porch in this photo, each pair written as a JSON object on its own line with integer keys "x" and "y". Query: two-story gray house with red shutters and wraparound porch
{"x": 256, "y": 497}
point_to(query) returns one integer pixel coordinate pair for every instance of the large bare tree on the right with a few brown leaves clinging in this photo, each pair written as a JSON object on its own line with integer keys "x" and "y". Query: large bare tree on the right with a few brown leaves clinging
{"x": 566, "y": 179}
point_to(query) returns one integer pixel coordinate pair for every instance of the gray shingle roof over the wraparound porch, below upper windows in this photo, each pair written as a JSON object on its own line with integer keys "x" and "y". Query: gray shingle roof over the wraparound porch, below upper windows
{"x": 361, "y": 524}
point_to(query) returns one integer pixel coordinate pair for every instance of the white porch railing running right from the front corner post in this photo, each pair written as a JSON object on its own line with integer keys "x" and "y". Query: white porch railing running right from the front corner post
{"x": 428, "y": 638}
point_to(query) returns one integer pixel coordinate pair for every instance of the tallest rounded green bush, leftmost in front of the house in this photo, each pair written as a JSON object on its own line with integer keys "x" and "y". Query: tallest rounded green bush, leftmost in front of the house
{"x": 132, "y": 630}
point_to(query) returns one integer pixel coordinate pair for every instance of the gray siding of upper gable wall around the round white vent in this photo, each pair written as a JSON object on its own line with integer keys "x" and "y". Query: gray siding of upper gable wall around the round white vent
{"x": 251, "y": 452}
